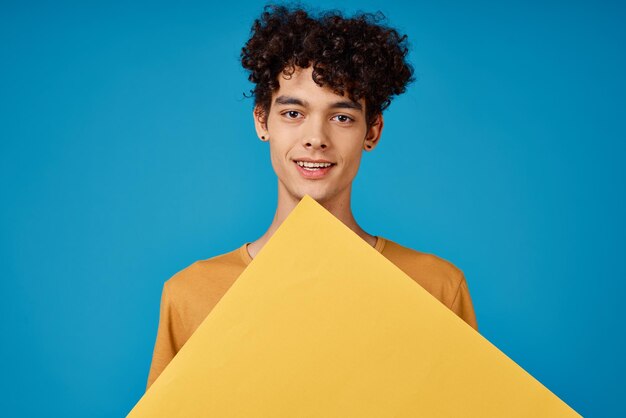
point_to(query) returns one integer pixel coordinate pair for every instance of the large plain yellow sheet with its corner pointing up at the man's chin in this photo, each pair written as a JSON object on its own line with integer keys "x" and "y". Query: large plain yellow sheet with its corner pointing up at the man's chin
{"x": 322, "y": 325}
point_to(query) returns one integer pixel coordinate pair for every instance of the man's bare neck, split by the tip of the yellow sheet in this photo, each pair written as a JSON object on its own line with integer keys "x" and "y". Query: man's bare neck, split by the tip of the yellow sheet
{"x": 338, "y": 206}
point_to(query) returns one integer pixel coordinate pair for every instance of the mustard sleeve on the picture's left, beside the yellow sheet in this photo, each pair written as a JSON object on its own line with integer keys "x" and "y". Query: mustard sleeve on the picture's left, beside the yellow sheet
{"x": 168, "y": 335}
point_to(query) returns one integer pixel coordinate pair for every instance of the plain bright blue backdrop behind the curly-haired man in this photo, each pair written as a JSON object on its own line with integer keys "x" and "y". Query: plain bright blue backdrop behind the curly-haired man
{"x": 128, "y": 152}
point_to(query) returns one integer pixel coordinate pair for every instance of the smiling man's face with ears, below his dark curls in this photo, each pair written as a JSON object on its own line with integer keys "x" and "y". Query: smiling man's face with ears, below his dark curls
{"x": 316, "y": 138}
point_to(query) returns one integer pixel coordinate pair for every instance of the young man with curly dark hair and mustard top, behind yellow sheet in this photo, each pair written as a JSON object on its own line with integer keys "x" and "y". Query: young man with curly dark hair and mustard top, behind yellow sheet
{"x": 321, "y": 85}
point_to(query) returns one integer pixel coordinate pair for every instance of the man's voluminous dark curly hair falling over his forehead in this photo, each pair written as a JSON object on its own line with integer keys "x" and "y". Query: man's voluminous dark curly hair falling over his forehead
{"x": 359, "y": 56}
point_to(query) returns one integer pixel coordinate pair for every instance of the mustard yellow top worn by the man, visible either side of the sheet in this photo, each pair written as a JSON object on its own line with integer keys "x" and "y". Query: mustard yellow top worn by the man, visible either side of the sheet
{"x": 191, "y": 294}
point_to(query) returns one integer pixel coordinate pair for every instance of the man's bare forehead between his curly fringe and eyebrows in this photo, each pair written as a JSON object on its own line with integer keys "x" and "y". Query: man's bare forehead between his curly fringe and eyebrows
{"x": 301, "y": 84}
